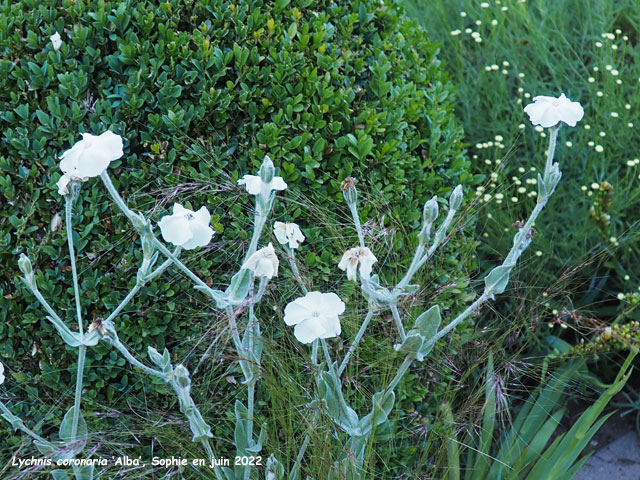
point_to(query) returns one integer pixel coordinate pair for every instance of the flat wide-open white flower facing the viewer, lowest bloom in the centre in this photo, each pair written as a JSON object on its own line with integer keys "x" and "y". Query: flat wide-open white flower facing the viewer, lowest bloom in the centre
{"x": 315, "y": 316}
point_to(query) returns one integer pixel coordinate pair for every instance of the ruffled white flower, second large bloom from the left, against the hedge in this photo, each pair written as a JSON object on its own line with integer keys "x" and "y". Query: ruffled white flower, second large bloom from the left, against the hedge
{"x": 186, "y": 228}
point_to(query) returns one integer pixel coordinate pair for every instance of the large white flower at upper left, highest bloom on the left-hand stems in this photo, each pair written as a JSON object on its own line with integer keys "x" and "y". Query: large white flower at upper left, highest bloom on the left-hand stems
{"x": 91, "y": 156}
